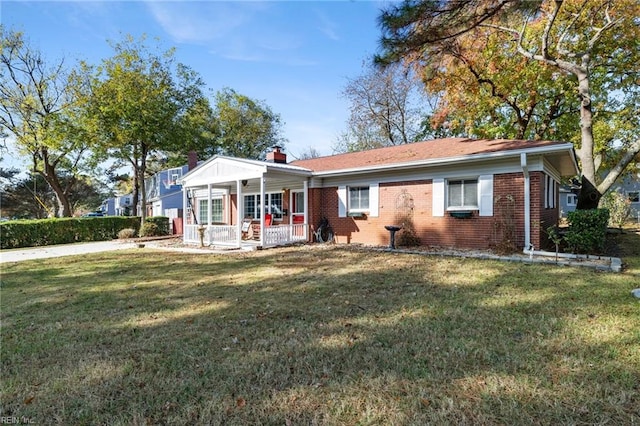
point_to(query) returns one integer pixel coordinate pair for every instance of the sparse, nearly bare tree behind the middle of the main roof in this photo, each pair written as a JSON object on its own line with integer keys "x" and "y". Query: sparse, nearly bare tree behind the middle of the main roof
{"x": 386, "y": 109}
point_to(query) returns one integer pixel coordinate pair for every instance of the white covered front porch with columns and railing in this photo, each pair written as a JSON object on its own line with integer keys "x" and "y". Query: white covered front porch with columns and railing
{"x": 231, "y": 202}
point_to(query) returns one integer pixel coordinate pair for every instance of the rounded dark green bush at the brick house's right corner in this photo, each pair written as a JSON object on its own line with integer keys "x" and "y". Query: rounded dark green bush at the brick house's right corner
{"x": 587, "y": 231}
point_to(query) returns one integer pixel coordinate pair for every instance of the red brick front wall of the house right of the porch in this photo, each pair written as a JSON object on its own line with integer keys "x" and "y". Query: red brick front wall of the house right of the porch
{"x": 478, "y": 232}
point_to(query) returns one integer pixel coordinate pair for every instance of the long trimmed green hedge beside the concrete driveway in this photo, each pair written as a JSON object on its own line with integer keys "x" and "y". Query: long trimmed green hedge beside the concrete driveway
{"x": 33, "y": 233}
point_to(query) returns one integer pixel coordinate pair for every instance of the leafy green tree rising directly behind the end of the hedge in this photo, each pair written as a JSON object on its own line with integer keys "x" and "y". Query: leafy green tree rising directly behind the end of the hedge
{"x": 136, "y": 104}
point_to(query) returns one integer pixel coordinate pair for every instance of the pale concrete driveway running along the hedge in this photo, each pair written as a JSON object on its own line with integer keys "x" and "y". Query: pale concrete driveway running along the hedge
{"x": 17, "y": 255}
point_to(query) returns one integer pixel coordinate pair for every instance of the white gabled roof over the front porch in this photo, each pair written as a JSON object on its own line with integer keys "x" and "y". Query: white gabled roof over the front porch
{"x": 222, "y": 170}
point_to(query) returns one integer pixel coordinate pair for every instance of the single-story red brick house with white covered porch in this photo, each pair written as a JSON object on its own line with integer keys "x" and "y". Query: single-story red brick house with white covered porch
{"x": 449, "y": 192}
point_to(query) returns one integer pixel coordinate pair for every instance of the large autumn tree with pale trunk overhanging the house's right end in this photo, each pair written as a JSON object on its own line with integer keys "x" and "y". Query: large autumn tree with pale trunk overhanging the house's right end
{"x": 589, "y": 50}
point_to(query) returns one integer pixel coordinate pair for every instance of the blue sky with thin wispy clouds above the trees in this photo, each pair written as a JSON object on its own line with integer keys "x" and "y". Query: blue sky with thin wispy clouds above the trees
{"x": 295, "y": 56}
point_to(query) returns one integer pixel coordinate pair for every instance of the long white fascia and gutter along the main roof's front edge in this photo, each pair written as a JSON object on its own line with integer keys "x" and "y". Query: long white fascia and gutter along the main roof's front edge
{"x": 451, "y": 160}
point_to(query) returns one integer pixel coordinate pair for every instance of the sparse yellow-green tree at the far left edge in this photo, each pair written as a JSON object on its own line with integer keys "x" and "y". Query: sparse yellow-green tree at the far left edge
{"x": 34, "y": 101}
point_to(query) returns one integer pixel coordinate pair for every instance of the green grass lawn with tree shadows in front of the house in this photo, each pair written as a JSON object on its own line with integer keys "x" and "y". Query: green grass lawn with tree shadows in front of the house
{"x": 322, "y": 335}
